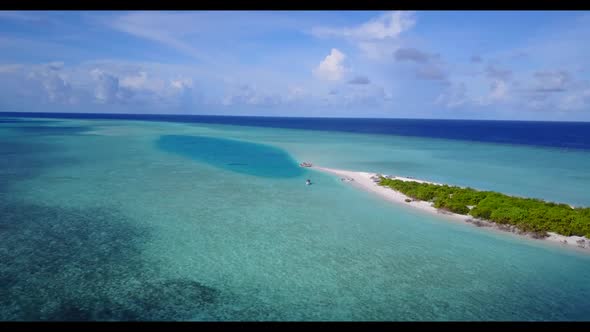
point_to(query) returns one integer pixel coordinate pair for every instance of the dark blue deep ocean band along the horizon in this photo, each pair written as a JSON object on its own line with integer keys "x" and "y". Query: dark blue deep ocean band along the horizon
{"x": 571, "y": 135}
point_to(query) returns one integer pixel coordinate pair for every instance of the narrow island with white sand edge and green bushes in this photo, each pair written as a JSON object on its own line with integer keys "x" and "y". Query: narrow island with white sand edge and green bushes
{"x": 531, "y": 217}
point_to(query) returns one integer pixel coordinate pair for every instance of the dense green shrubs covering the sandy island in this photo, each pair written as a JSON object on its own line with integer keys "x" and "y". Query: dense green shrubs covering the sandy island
{"x": 527, "y": 214}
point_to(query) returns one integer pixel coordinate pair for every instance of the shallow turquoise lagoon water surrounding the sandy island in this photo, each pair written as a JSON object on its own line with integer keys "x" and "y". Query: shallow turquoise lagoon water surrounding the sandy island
{"x": 106, "y": 220}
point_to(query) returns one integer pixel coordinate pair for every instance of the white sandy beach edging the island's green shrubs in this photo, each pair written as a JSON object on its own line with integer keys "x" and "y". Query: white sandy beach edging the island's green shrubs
{"x": 366, "y": 181}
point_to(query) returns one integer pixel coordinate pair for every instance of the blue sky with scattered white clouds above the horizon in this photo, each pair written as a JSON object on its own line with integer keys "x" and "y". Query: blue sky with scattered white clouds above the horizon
{"x": 502, "y": 65}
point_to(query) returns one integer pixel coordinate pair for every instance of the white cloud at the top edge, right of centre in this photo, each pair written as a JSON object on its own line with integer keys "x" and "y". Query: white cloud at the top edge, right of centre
{"x": 387, "y": 25}
